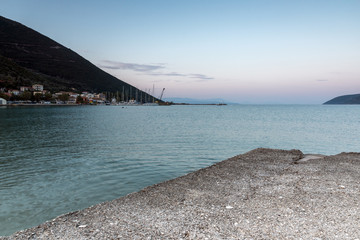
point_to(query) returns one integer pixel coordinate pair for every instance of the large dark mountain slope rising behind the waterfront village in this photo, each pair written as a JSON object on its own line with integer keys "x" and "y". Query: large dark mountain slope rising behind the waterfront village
{"x": 28, "y": 57}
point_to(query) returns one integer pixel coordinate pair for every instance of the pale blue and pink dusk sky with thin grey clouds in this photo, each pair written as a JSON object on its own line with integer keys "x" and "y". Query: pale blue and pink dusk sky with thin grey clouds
{"x": 244, "y": 51}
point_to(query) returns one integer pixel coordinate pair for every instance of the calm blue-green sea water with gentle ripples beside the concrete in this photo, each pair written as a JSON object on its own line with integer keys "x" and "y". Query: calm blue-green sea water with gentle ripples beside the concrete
{"x": 59, "y": 159}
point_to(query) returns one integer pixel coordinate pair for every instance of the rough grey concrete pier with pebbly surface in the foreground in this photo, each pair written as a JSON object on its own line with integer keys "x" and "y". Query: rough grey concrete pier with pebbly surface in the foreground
{"x": 262, "y": 194}
